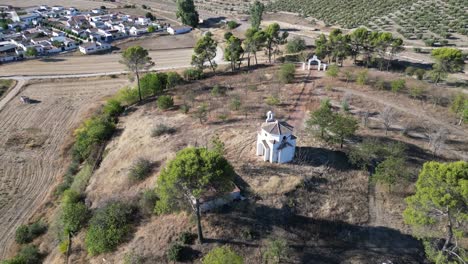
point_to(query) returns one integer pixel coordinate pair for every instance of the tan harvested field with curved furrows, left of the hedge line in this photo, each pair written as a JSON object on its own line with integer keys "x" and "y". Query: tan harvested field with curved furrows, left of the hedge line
{"x": 33, "y": 138}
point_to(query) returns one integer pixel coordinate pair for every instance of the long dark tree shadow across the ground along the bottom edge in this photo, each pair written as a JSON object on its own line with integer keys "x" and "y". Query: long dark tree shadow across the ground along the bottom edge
{"x": 317, "y": 240}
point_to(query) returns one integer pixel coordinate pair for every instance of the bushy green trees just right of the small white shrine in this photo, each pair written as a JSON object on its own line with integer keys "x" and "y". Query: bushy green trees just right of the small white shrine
{"x": 335, "y": 127}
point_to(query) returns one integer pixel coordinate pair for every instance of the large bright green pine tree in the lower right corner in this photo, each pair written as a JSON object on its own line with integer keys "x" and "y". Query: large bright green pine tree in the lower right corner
{"x": 437, "y": 211}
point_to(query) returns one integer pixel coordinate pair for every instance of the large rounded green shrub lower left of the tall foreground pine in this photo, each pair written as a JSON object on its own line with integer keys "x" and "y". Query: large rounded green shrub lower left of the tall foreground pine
{"x": 108, "y": 228}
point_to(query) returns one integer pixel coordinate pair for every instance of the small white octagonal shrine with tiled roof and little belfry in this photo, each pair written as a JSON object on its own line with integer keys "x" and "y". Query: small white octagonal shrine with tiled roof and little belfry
{"x": 275, "y": 141}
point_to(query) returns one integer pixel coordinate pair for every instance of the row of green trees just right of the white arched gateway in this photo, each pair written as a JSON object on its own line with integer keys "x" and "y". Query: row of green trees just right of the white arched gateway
{"x": 374, "y": 47}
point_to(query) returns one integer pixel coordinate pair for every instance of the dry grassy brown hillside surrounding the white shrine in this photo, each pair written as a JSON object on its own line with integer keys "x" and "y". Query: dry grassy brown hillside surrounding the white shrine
{"x": 320, "y": 204}
